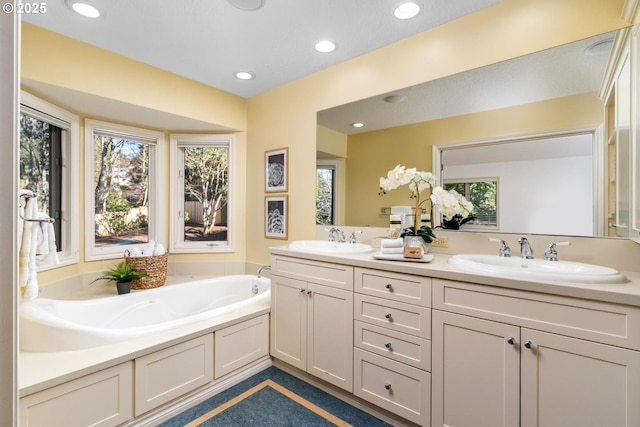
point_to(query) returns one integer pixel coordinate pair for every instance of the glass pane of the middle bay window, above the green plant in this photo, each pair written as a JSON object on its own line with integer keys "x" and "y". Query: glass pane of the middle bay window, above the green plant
{"x": 121, "y": 191}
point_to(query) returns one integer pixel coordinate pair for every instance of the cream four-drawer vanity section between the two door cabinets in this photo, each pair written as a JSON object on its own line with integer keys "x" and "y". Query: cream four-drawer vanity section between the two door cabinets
{"x": 392, "y": 329}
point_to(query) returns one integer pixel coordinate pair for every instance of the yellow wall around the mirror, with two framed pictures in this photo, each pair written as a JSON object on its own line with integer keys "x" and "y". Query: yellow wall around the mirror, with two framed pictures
{"x": 287, "y": 114}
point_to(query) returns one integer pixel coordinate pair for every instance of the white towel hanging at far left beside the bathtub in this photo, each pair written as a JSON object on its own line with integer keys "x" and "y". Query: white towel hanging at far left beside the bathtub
{"x": 28, "y": 272}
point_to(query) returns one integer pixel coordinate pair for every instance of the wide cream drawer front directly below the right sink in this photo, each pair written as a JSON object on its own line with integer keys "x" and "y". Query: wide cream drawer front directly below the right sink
{"x": 591, "y": 320}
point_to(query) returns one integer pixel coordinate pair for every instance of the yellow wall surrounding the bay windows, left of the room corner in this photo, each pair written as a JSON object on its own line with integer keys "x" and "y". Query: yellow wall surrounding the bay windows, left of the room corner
{"x": 77, "y": 66}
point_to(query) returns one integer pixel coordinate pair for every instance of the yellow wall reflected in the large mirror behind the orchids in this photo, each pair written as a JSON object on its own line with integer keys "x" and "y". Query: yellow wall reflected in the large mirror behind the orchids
{"x": 372, "y": 154}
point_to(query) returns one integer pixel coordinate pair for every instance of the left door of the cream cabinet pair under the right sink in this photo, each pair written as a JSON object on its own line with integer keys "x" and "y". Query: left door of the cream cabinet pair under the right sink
{"x": 475, "y": 372}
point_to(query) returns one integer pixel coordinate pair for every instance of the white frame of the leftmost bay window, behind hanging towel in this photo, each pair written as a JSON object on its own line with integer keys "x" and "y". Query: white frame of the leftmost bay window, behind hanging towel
{"x": 70, "y": 187}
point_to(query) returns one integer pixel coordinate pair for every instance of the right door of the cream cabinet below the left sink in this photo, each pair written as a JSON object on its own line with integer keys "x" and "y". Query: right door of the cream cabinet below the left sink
{"x": 330, "y": 335}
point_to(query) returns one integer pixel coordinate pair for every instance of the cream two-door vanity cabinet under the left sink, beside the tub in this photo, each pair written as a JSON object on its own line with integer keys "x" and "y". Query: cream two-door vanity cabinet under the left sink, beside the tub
{"x": 312, "y": 318}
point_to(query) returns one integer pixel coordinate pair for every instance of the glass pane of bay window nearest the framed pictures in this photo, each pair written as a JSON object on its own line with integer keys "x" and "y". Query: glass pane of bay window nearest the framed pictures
{"x": 206, "y": 191}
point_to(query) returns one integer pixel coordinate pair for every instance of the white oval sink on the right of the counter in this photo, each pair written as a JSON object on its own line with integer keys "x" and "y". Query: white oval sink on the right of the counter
{"x": 537, "y": 269}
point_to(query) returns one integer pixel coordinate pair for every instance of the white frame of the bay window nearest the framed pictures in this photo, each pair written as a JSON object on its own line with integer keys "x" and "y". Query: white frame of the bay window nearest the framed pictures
{"x": 177, "y": 244}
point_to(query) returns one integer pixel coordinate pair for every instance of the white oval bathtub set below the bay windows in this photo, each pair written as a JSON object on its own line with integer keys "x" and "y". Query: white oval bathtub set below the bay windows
{"x": 61, "y": 325}
